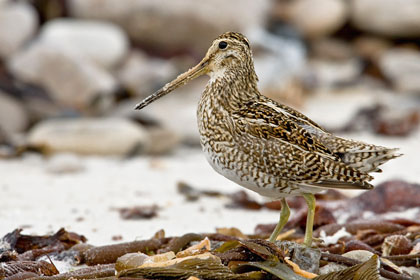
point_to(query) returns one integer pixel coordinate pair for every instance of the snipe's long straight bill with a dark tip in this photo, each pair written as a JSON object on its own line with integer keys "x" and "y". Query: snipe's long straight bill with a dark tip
{"x": 182, "y": 79}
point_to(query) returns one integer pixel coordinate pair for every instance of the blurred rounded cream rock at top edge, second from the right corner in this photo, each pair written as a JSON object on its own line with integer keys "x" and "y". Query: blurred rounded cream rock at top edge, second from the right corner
{"x": 317, "y": 18}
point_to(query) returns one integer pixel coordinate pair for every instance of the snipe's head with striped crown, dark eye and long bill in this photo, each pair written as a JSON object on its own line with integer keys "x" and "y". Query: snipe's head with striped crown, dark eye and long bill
{"x": 229, "y": 51}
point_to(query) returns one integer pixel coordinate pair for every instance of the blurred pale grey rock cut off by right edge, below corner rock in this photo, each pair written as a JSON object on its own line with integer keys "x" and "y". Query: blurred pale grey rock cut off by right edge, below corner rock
{"x": 402, "y": 67}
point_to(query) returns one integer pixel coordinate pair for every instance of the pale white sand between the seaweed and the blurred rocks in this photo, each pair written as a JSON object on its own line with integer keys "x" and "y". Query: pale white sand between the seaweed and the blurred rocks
{"x": 34, "y": 198}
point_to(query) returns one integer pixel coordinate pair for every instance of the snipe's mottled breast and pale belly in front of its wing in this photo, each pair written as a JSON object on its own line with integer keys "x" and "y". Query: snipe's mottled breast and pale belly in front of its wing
{"x": 226, "y": 155}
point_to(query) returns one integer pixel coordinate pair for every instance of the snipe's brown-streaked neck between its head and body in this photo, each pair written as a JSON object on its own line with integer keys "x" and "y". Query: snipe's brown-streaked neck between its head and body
{"x": 232, "y": 87}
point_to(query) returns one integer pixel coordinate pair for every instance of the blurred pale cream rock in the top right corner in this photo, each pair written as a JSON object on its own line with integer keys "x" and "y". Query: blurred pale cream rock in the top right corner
{"x": 394, "y": 18}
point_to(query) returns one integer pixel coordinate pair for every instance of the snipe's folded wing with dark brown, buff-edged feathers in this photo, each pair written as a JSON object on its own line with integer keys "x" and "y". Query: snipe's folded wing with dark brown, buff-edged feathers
{"x": 289, "y": 146}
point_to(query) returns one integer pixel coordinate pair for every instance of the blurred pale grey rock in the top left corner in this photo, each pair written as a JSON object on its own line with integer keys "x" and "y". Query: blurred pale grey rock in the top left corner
{"x": 18, "y": 23}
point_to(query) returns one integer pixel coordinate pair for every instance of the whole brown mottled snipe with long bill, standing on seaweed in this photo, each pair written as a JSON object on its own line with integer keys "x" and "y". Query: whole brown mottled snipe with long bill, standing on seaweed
{"x": 265, "y": 146}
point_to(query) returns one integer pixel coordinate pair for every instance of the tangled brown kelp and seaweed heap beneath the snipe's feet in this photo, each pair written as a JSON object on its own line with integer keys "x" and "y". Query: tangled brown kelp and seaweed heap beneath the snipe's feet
{"x": 220, "y": 256}
